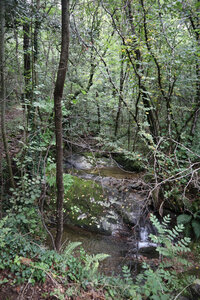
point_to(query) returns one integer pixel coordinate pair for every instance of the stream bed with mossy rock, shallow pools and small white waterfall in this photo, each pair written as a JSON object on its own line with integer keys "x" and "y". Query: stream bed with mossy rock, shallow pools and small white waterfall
{"x": 119, "y": 229}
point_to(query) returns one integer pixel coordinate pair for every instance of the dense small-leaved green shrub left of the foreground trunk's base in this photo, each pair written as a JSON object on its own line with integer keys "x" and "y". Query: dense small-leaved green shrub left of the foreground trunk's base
{"x": 20, "y": 226}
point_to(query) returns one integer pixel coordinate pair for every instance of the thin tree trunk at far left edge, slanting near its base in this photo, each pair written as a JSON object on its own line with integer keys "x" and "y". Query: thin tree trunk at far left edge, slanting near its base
{"x": 2, "y": 90}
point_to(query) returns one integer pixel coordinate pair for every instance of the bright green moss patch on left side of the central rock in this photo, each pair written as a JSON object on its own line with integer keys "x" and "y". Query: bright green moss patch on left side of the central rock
{"x": 84, "y": 202}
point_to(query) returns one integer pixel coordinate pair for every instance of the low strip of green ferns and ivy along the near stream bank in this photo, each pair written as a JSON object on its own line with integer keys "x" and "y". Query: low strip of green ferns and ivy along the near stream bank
{"x": 31, "y": 262}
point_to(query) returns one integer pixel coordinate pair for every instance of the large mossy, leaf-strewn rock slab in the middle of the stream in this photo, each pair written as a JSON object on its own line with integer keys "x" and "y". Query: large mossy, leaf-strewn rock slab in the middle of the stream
{"x": 99, "y": 192}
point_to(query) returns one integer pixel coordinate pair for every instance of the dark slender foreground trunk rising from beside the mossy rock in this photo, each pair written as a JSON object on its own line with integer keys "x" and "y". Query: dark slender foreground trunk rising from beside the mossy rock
{"x": 58, "y": 92}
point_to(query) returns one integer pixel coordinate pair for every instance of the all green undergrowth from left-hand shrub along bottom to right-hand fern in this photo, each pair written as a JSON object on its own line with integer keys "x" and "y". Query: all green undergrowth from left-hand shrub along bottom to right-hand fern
{"x": 24, "y": 256}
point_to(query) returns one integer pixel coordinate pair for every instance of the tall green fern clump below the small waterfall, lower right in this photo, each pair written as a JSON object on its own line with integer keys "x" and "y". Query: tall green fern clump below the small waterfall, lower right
{"x": 163, "y": 282}
